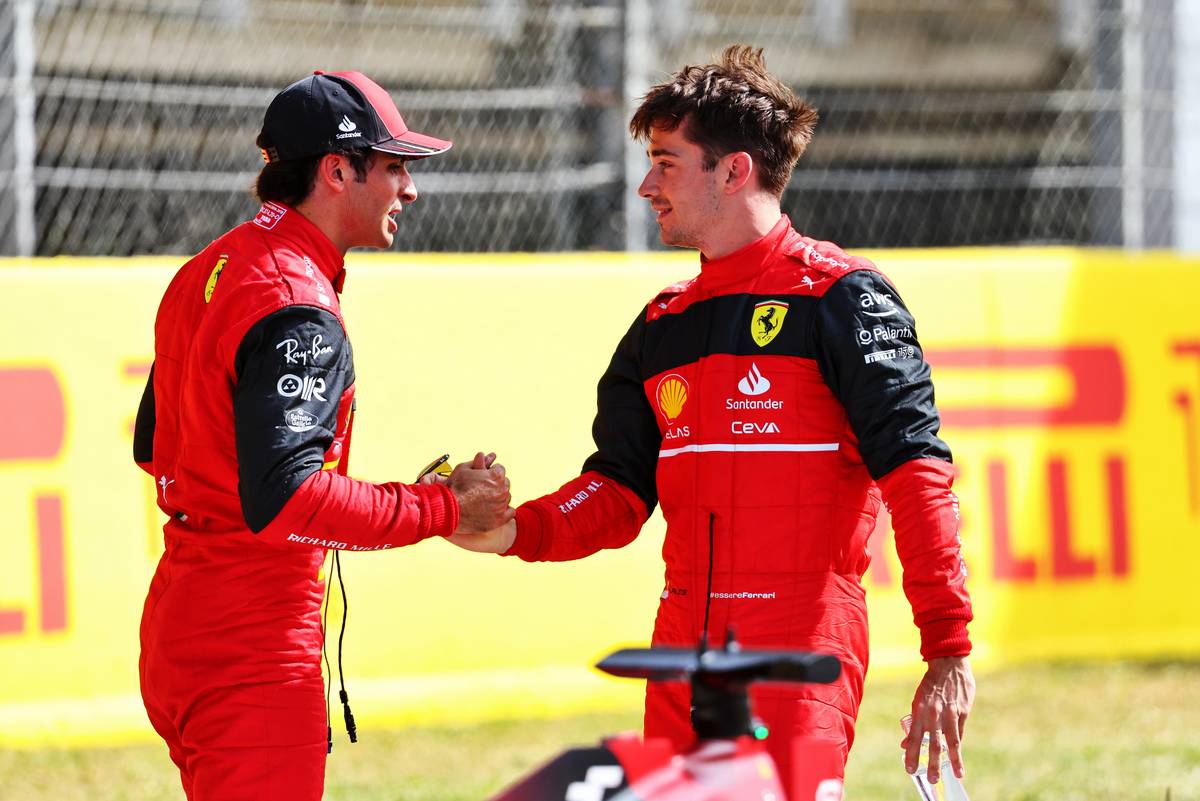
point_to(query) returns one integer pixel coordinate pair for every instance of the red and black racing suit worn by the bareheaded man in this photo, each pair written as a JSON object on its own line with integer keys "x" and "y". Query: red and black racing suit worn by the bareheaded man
{"x": 765, "y": 405}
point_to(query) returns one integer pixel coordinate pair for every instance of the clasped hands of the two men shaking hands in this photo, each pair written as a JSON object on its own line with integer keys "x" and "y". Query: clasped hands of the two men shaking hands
{"x": 487, "y": 519}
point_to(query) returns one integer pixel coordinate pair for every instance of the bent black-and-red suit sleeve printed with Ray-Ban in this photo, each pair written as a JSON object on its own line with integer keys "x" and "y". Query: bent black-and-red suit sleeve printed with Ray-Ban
{"x": 293, "y": 369}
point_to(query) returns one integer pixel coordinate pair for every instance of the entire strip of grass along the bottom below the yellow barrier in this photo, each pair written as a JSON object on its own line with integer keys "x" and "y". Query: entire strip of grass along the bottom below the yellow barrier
{"x": 1046, "y": 733}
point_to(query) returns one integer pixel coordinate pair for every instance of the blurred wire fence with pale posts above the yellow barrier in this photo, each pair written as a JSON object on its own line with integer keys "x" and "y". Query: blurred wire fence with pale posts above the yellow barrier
{"x": 128, "y": 127}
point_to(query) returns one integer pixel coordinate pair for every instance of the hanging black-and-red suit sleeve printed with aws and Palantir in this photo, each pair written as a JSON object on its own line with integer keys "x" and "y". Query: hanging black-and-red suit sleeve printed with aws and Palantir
{"x": 869, "y": 356}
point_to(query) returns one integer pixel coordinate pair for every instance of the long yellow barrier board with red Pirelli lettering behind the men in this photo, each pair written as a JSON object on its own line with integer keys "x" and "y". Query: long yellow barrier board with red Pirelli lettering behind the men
{"x": 1069, "y": 383}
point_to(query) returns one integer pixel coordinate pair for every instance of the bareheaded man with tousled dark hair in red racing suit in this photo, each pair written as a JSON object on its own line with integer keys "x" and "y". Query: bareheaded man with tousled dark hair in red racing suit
{"x": 770, "y": 405}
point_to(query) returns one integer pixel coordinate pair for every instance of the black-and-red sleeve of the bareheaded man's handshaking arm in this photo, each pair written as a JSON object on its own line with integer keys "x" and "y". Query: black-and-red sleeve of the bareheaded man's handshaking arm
{"x": 608, "y": 505}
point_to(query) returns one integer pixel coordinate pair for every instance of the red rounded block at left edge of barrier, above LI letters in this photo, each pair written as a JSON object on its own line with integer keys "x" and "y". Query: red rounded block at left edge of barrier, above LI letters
{"x": 34, "y": 413}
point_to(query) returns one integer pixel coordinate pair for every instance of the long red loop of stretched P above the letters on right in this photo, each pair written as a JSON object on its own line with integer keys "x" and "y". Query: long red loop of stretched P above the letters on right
{"x": 1096, "y": 372}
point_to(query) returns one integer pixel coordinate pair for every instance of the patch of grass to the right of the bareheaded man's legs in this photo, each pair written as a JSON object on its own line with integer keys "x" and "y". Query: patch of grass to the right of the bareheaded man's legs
{"x": 1055, "y": 733}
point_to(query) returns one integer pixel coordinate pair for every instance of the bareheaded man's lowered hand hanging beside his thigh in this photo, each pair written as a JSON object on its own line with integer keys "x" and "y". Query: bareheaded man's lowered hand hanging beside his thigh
{"x": 943, "y": 703}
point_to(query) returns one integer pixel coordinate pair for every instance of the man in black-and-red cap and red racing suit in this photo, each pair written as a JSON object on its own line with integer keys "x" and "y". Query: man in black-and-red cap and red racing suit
{"x": 245, "y": 426}
